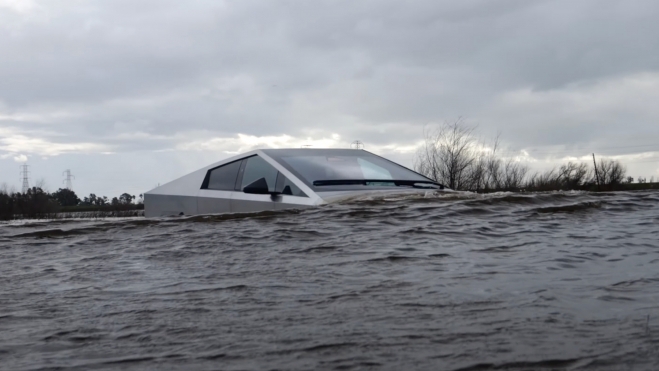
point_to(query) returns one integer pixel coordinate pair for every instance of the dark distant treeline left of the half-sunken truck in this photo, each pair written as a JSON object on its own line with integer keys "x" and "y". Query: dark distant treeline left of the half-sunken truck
{"x": 37, "y": 203}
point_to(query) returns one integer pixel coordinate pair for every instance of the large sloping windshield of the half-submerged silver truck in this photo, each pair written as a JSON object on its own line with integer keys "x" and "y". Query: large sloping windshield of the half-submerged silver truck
{"x": 358, "y": 165}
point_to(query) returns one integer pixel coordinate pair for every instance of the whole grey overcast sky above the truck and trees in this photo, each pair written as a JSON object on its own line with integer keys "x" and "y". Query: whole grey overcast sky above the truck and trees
{"x": 128, "y": 94}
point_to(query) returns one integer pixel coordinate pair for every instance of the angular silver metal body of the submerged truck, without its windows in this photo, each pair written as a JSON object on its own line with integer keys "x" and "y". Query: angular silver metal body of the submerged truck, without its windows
{"x": 185, "y": 196}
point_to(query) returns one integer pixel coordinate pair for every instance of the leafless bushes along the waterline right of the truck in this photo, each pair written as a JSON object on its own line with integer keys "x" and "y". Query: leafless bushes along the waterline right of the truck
{"x": 452, "y": 155}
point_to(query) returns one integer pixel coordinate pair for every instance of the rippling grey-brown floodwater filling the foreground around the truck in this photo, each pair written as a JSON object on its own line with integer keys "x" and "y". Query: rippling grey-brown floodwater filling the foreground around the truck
{"x": 554, "y": 281}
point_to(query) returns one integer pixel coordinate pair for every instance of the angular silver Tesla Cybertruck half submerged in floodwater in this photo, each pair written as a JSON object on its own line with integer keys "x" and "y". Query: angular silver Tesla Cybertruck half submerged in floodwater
{"x": 278, "y": 179}
